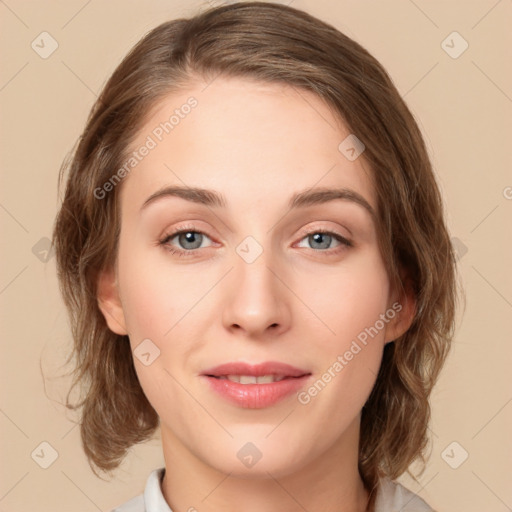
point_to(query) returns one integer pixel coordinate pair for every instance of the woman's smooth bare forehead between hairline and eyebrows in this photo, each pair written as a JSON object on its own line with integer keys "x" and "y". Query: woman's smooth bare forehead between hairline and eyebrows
{"x": 255, "y": 142}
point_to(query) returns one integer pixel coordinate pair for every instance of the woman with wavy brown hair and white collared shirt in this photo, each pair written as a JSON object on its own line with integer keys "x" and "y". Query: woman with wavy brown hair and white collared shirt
{"x": 288, "y": 353}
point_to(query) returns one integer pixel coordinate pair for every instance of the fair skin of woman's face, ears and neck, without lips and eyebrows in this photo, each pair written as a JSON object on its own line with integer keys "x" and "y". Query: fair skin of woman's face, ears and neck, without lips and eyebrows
{"x": 298, "y": 302}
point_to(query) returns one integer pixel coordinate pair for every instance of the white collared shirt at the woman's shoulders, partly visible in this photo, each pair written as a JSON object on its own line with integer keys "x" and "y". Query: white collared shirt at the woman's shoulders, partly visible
{"x": 391, "y": 497}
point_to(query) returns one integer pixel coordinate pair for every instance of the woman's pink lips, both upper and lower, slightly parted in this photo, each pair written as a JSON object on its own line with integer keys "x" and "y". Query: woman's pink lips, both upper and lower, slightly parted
{"x": 256, "y": 396}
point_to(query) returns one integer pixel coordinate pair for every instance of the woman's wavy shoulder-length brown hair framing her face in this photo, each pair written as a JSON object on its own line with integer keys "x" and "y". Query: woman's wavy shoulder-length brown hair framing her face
{"x": 271, "y": 43}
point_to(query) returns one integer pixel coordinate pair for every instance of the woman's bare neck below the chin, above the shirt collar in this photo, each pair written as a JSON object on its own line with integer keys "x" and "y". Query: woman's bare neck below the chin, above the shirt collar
{"x": 329, "y": 483}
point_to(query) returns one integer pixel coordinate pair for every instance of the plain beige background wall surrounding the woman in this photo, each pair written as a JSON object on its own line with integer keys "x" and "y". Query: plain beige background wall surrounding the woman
{"x": 464, "y": 107}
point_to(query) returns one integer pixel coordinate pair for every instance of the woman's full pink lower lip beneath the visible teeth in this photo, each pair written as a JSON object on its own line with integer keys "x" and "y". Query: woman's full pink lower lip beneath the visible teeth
{"x": 256, "y": 396}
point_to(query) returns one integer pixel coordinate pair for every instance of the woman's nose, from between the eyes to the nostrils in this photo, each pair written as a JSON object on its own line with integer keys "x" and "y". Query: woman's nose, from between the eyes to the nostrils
{"x": 256, "y": 299}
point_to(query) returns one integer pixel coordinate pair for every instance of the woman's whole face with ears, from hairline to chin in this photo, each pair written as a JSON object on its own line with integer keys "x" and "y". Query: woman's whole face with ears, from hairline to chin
{"x": 251, "y": 278}
